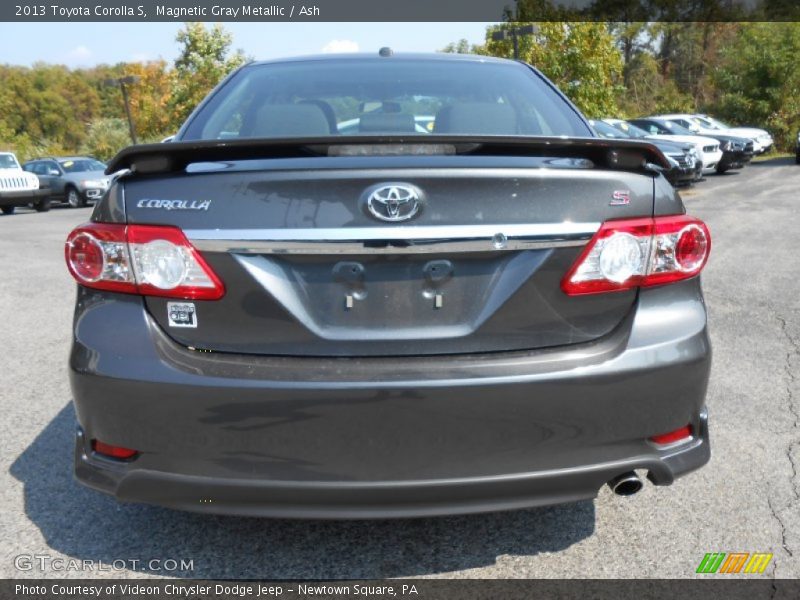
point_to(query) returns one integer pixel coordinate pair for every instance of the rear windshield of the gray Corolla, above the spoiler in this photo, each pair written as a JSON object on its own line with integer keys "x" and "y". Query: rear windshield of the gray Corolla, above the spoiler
{"x": 384, "y": 97}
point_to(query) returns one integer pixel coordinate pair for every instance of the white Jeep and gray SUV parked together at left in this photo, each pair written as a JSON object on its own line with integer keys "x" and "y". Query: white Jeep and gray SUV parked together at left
{"x": 74, "y": 180}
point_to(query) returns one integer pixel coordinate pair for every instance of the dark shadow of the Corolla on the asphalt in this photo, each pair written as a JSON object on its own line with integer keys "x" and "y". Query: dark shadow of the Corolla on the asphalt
{"x": 87, "y": 525}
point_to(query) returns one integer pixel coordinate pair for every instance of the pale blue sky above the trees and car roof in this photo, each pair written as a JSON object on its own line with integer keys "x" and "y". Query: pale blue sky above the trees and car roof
{"x": 88, "y": 44}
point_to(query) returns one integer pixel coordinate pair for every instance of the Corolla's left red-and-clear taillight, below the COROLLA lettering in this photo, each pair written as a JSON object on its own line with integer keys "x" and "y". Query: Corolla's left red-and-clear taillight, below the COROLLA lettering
{"x": 151, "y": 260}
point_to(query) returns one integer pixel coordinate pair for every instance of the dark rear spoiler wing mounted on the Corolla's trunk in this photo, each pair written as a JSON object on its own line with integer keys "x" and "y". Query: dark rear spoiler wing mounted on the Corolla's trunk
{"x": 173, "y": 157}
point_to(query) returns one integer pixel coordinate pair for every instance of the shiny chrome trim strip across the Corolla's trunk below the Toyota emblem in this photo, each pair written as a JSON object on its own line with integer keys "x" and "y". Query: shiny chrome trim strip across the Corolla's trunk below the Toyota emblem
{"x": 394, "y": 239}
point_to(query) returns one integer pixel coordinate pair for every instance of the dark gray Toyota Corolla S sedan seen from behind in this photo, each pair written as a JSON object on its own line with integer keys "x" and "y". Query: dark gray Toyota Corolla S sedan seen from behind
{"x": 384, "y": 286}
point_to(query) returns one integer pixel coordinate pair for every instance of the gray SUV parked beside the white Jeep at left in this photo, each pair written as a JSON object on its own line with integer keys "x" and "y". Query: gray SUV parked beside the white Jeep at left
{"x": 75, "y": 180}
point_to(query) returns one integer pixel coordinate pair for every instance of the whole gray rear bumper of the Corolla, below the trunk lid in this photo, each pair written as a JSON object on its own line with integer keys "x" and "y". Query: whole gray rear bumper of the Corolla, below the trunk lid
{"x": 383, "y": 437}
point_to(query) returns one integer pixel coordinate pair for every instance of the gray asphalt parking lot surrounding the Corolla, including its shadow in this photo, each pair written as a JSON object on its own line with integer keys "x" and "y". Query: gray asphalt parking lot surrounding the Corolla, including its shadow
{"x": 746, "y": 500}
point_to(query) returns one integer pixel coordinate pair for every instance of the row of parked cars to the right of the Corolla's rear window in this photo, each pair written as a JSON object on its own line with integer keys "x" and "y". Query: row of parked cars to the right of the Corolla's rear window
{"x": 694, "y": 144}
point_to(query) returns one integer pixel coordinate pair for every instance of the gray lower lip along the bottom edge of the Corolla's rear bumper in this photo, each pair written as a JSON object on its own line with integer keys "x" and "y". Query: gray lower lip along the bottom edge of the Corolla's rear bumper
{"x": 390, "y": 499}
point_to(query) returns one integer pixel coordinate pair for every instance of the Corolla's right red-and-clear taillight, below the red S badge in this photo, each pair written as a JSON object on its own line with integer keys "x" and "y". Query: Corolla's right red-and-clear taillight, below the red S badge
{"x": 639, "y": 252}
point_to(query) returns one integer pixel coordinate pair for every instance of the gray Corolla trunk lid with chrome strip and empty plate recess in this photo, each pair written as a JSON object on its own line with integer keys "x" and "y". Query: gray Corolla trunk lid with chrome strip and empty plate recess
{"x": 309, "y": 270}
